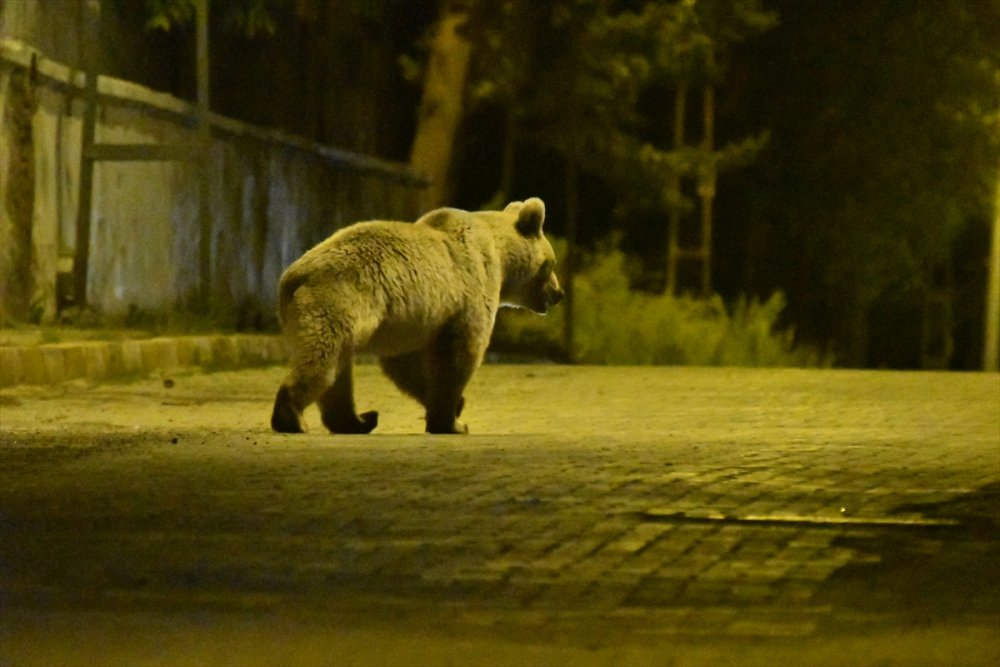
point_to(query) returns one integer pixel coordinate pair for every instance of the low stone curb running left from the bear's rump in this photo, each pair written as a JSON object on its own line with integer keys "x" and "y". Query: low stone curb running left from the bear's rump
{"x": 101, "y": 360}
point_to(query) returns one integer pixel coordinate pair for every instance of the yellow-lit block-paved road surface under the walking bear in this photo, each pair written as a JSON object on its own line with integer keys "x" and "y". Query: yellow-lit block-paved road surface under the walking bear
{"x": 594, "y": 516}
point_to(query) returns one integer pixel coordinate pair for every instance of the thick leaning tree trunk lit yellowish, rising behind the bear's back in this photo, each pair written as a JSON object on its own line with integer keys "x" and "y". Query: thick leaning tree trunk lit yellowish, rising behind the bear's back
{"x": 441, "y": 107}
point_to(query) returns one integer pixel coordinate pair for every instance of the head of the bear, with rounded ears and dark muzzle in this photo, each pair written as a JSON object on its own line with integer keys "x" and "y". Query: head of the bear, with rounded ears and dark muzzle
{"x": 528, "y": 259}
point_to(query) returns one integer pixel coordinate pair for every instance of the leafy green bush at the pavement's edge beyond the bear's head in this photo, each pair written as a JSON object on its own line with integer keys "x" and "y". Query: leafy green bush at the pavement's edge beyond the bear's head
{"x": 615, "y": 325}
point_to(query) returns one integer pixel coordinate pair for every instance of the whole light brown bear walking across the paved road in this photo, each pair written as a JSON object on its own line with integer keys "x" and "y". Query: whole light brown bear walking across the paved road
{"x": 422, "y": 297}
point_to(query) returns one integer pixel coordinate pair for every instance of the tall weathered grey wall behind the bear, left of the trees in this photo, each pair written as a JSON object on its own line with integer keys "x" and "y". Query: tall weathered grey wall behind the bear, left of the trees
{"x": 272, "y": 197}
